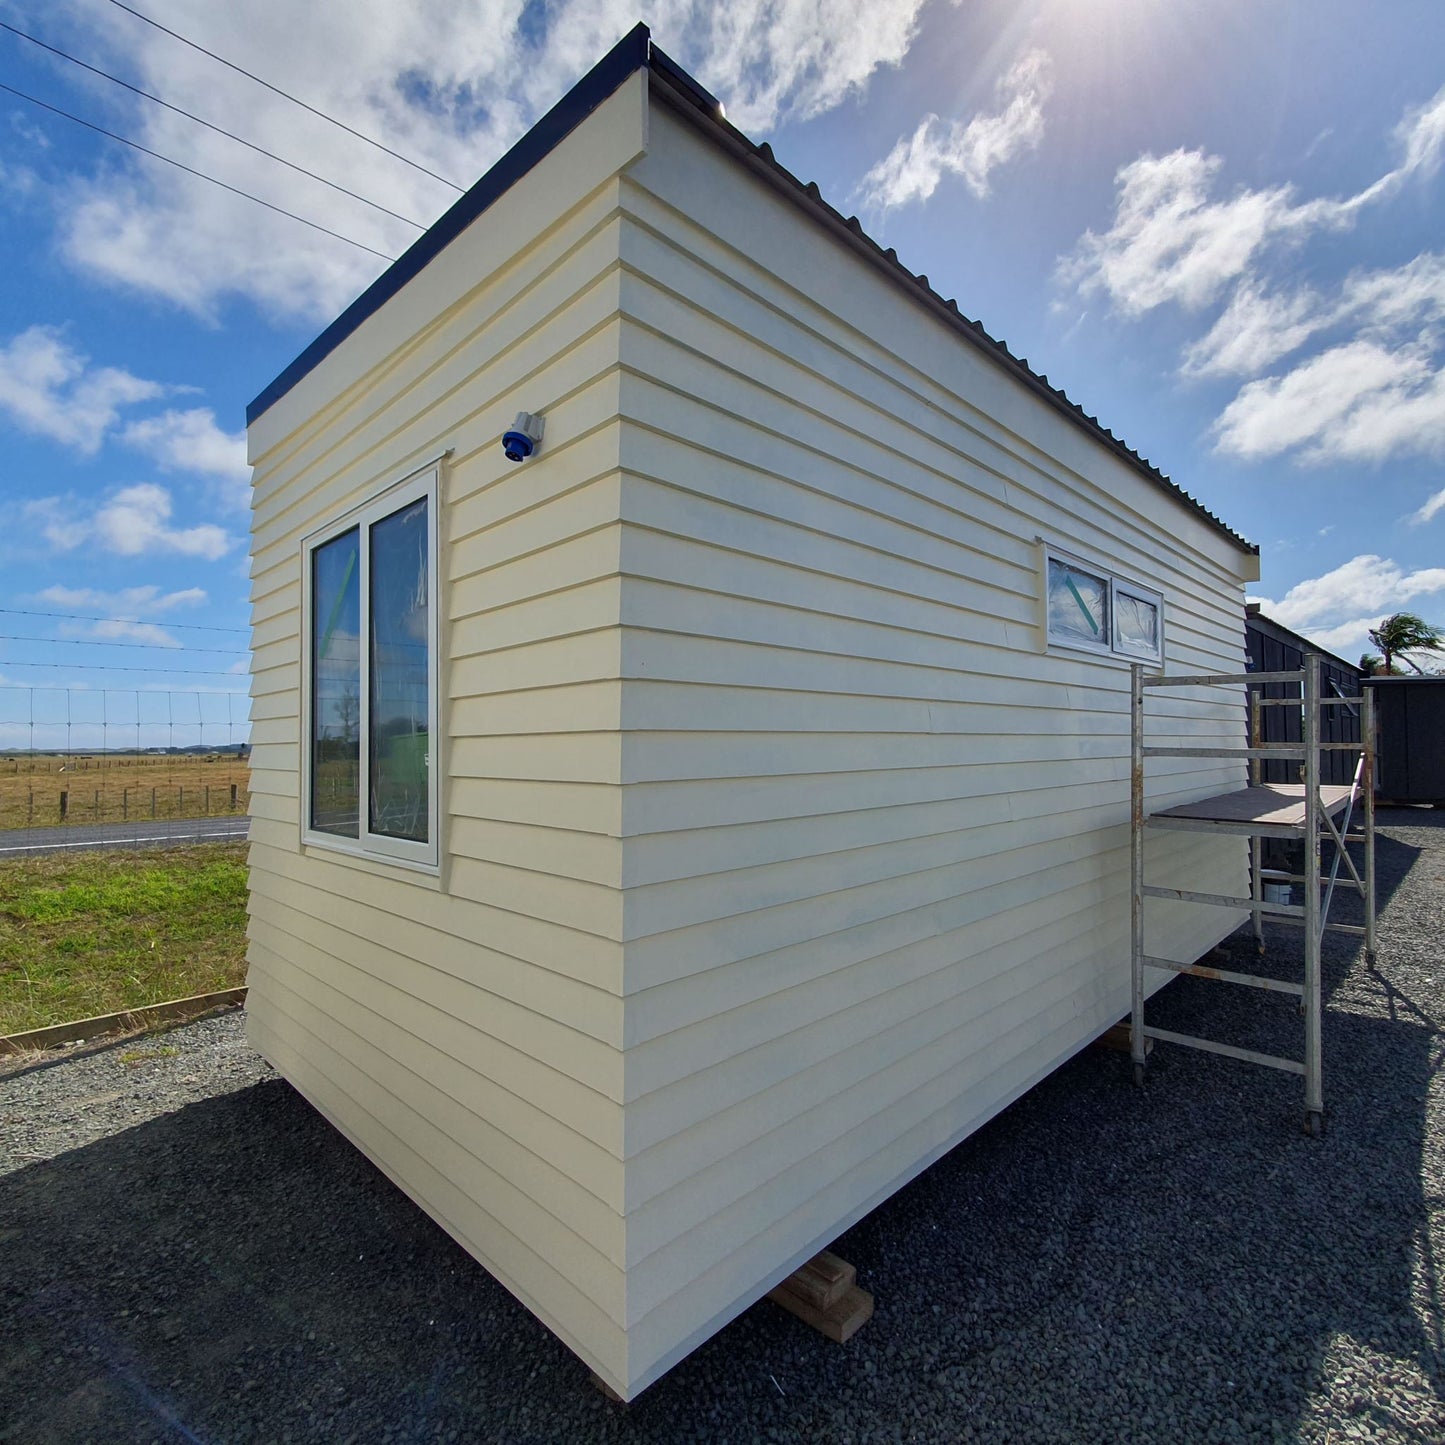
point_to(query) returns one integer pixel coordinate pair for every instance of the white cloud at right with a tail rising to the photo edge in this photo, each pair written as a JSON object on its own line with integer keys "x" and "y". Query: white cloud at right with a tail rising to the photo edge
{"x": 1173, "y": 241}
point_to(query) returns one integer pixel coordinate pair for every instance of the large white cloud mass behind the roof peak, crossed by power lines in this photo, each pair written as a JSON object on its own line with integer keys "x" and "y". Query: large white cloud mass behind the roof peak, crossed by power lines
{"x": 452, "y": 83}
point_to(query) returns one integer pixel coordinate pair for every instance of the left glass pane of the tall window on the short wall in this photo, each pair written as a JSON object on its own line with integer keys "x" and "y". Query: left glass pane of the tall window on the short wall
{"x": 336, "y": 670}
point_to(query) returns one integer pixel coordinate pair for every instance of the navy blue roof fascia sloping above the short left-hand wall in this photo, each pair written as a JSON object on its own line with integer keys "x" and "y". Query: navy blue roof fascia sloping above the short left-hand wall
{"x": 629, "y": 56}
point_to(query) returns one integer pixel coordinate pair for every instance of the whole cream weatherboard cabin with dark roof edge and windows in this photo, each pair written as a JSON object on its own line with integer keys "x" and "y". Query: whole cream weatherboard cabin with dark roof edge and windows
{"x": 665, "y": 847}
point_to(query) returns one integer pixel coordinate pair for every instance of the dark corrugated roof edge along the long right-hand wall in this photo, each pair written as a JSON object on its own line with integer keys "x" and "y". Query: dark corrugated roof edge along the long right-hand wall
{"x": 673, "y": 85}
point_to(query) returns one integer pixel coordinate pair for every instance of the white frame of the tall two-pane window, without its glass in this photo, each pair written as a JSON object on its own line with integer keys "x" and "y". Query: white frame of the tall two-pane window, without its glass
{"x": 378, "y": 847}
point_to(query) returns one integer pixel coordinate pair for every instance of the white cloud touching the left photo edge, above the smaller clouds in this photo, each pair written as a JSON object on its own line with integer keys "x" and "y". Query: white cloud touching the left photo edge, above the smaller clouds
{"x": 50, "y": 389}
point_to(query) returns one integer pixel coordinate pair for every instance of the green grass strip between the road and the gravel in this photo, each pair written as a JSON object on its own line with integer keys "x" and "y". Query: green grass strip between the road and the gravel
{"x": 108, "y": 931}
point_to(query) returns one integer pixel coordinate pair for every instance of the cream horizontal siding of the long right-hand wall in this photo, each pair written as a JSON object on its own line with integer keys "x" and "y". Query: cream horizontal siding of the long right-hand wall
{"x": 875, "y": 832}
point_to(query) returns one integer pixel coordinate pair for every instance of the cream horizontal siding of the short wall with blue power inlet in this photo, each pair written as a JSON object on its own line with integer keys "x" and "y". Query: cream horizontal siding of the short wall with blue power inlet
{"x": 466, "y": 1030}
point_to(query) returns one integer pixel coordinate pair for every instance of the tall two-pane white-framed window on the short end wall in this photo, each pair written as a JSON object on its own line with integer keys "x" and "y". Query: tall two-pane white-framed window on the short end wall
{"x": 371, "y": 678}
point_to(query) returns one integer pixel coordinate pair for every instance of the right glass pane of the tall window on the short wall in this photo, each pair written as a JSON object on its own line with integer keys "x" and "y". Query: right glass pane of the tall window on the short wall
{"x": 400, "y": 742}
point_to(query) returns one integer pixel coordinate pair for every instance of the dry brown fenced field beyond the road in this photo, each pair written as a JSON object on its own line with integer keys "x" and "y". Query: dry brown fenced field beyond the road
{"x": 119, "y": 788}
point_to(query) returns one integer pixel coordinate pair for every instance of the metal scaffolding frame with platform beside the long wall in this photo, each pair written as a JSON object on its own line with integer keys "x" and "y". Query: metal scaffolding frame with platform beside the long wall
{"x": 1306, "y": 811}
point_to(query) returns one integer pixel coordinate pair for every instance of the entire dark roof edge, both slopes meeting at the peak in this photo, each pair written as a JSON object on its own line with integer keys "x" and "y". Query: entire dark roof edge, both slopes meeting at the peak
{"x": 635, "y": 53}
